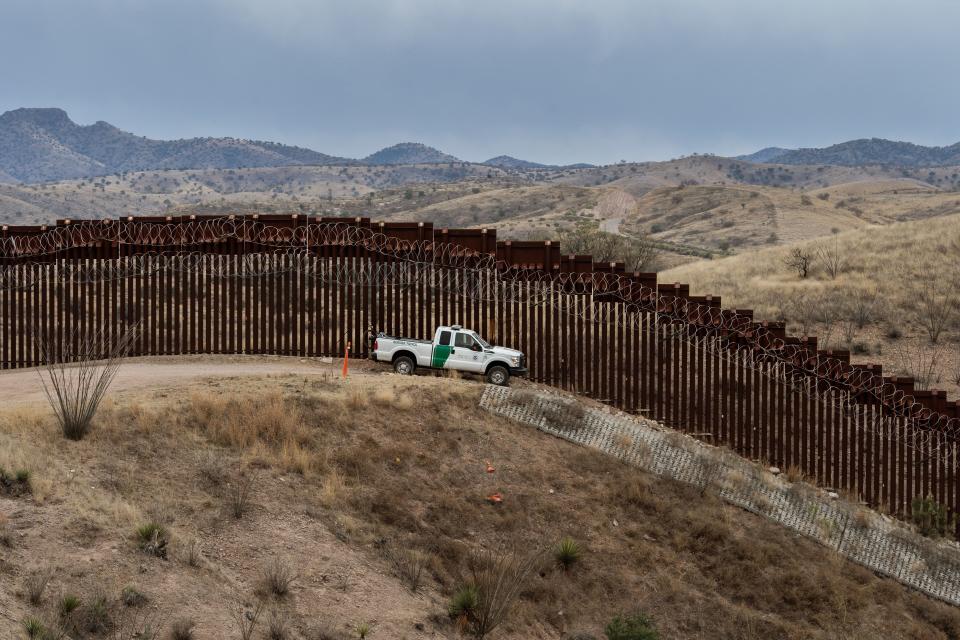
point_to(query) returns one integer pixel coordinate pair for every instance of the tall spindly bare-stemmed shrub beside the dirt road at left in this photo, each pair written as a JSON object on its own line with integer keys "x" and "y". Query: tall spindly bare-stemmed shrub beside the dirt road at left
{"x": 77, "y": 373}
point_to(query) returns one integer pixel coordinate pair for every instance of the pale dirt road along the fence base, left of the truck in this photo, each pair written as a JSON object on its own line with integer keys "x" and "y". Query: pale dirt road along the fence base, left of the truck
{"x": 23, "y": 385}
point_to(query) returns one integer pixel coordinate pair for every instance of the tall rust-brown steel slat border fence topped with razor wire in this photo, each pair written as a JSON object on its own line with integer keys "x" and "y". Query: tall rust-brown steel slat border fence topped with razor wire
{"x": 308, "y": 286}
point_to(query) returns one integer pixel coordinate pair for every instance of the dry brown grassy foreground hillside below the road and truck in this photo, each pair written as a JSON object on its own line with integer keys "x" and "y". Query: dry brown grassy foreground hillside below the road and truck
{"x": 356, "y": 484}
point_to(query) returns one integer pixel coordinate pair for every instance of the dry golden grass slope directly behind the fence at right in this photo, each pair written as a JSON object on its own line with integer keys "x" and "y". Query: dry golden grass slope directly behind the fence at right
{"x": 894, "y": 286}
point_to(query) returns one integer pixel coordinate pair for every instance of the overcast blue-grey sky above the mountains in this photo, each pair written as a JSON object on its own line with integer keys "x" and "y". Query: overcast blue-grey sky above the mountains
{"x": 547, "y": 80}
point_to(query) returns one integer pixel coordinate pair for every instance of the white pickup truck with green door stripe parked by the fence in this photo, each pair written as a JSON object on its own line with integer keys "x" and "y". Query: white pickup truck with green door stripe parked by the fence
{"x": 452, "y": 348}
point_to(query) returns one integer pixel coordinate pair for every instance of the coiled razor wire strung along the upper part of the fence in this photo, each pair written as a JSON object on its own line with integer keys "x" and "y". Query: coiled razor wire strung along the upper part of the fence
{"x": 390, "y": 261}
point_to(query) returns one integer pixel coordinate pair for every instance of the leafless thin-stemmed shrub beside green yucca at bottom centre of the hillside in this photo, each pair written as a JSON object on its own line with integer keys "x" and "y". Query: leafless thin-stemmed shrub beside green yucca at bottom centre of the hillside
{"x": 496, "y": 581}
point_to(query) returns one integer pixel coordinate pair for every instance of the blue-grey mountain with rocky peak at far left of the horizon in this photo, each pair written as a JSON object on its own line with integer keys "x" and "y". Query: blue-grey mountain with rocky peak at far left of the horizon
{"x": 45, "y": 144}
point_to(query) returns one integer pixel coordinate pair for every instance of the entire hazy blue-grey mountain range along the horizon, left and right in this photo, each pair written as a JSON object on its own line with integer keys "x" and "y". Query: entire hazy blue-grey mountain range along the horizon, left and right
{"x": 41, "y": 145}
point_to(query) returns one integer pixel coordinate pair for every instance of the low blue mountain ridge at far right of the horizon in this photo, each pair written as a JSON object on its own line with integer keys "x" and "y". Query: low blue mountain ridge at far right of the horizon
{"x": 873, "y": 151}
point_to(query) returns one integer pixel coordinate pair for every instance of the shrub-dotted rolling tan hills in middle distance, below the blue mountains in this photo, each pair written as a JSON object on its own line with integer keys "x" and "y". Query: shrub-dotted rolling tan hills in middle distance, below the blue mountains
{"x": 691, "y": 207}
